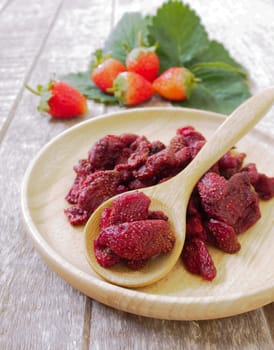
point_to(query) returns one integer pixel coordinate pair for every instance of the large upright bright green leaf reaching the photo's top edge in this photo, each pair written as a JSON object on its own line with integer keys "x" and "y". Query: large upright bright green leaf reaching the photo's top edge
{"x": 179, "y": 32}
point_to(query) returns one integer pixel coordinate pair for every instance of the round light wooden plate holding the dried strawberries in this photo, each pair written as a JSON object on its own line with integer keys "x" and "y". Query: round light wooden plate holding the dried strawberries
{"x": 244, "y": 280}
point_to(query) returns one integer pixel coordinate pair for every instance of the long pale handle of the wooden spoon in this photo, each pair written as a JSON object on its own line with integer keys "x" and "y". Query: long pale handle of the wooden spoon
{"x": 229, "y": 132}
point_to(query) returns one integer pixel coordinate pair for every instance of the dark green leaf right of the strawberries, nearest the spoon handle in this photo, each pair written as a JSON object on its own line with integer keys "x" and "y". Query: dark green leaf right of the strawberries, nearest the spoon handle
{"x": 222, "y": 88}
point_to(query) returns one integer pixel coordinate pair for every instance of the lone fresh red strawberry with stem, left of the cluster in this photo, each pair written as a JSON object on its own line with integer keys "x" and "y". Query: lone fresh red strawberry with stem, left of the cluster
{"x": 60, "y": 100}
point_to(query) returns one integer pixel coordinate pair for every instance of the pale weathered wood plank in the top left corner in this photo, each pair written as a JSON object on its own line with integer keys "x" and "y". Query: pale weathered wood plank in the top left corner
{"x": 21, "y": 41}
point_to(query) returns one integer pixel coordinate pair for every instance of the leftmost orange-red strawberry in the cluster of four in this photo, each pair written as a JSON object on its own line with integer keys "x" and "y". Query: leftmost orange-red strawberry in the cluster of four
{"x": 106, "y": 72}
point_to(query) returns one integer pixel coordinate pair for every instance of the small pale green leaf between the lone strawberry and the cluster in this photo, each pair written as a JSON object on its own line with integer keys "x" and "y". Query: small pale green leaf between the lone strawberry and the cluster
{"x": 84, "y": 84}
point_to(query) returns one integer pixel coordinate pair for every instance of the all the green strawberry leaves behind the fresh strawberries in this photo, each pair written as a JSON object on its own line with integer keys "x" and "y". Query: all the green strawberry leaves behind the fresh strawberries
{"x": 181, "y": 40}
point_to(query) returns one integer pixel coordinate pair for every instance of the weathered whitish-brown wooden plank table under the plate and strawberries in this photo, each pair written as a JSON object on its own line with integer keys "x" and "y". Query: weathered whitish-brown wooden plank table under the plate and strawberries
{"x": 38, "y": 310}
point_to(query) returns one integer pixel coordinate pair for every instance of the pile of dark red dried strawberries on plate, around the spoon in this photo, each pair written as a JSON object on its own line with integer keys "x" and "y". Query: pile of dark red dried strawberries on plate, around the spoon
{"x": 224, "y": 203}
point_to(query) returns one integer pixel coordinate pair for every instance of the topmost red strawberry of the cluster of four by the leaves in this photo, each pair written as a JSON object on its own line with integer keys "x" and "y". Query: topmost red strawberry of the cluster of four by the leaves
{"x": 144, "y": 61}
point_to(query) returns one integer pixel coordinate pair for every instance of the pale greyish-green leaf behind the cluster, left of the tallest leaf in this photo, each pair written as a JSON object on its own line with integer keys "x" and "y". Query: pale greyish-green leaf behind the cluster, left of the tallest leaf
{"x": 124, "y": 37}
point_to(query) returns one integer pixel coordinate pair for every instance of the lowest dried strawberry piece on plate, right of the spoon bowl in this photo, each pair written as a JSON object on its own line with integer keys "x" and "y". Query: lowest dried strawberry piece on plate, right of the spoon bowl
{"x": 197, "y": 259}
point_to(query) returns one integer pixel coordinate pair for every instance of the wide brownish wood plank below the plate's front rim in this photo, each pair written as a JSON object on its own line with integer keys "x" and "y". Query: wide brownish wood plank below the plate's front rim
{"x": 118, "y": 330}
